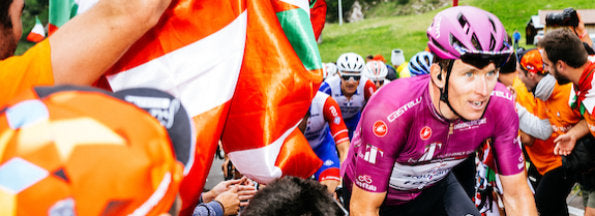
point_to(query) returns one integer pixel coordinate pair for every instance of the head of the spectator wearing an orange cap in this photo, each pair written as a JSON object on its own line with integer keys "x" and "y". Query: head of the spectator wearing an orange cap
{"x": 531, "y": 68}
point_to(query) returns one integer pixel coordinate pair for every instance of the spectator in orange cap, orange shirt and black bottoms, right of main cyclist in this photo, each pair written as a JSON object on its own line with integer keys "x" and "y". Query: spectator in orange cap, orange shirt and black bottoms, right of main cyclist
{"x": 555, "y": 182}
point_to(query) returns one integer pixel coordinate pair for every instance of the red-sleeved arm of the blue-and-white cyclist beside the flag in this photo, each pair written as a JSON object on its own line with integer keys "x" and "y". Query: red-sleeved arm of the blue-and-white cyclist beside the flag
{"x": 332, "y": 115}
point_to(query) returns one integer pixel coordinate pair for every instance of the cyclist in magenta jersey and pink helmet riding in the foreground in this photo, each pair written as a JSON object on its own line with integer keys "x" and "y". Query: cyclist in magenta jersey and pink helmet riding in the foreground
{"x": 414, "y": 131}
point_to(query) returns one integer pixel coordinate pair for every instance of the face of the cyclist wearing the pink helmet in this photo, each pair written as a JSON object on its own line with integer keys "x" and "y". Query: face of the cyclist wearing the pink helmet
{"x": 470, "y": 88}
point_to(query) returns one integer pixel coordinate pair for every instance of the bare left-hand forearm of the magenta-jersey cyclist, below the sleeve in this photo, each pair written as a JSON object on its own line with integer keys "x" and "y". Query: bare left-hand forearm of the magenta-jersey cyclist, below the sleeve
{"x": 367, "y": 203}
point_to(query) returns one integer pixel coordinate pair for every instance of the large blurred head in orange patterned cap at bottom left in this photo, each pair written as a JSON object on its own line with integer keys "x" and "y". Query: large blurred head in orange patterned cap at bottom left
{"x": 83, "y": 151}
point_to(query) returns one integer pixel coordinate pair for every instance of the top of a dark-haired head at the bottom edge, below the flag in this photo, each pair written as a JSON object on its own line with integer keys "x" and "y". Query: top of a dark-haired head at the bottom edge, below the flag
{"x": 292, "y": 196}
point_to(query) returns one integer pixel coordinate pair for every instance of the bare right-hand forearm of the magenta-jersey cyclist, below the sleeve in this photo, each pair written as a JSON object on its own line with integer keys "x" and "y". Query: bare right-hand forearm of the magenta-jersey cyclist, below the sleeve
{"x": 518, "y": 198}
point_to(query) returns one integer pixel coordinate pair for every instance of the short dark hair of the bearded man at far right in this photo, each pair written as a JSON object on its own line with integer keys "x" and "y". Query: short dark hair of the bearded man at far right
{"x": 563, "y": 44}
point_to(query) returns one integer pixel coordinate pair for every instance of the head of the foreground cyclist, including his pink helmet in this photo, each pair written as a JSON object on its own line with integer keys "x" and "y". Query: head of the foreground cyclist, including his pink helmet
{"x": 469, "y": 46}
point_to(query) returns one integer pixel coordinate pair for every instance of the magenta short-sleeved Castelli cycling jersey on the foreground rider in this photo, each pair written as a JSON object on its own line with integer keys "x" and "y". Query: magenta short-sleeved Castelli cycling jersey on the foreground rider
{"x": 402, "y": 145}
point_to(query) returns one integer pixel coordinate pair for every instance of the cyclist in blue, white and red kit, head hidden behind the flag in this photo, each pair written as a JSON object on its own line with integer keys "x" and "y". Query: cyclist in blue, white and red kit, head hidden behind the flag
{"x": 326, "y": 132}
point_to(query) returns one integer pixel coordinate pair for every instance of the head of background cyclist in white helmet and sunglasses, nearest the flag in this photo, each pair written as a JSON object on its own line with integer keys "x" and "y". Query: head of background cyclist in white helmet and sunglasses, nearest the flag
{"x": 350, "y": 67}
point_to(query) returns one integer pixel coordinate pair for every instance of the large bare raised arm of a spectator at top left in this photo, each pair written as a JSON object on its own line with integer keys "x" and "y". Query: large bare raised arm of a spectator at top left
{"x": 89, "y": 44}
